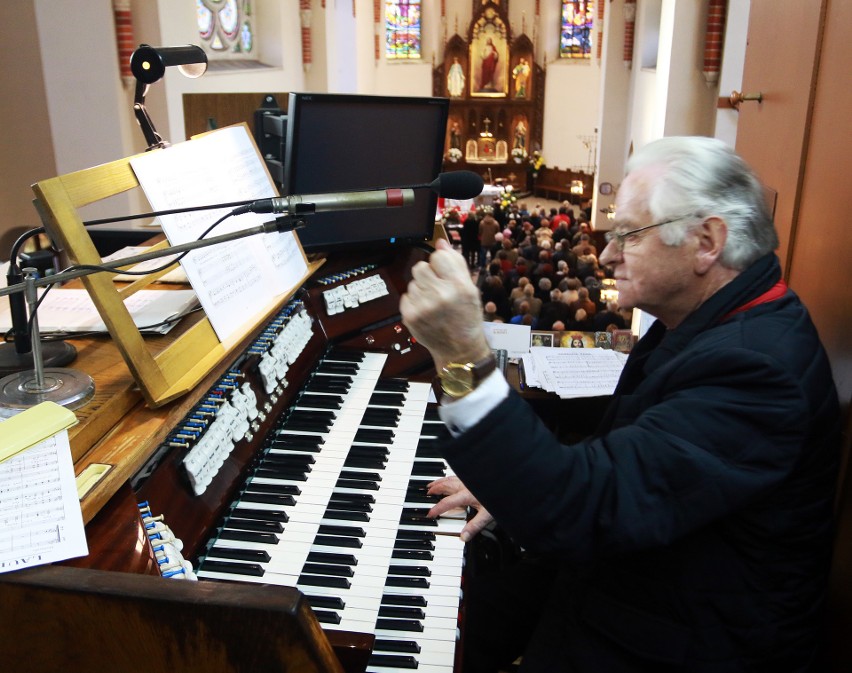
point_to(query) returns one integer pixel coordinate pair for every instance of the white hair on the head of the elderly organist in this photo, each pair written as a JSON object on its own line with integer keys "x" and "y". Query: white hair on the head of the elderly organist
{"x": 700, "y": 178}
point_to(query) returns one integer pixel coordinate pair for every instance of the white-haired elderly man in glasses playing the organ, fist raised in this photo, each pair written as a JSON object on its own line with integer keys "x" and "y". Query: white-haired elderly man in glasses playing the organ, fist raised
{"x": 692, "y": 531}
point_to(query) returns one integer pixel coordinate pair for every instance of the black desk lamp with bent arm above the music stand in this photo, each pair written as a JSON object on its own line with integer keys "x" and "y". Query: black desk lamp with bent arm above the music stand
{"x": 148, "y": 65}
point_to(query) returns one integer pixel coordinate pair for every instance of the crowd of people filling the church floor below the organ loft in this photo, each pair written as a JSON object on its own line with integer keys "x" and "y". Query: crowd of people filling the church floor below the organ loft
{"x": 539, "y": 268}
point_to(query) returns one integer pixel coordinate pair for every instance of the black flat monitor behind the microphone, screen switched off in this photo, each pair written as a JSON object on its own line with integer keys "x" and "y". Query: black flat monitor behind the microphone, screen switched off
{"x": 341, "y": 142}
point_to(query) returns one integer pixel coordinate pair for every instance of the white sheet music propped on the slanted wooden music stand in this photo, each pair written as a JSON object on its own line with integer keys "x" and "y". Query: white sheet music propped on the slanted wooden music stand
{"x": 234, "y": 281}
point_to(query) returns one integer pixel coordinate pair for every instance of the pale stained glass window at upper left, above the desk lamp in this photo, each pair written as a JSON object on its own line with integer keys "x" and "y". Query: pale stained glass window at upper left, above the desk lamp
{"x": 226, "y": 28}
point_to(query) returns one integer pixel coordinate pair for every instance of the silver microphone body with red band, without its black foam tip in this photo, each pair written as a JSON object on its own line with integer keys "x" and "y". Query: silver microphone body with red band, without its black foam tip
{"x": 318, "y": 203}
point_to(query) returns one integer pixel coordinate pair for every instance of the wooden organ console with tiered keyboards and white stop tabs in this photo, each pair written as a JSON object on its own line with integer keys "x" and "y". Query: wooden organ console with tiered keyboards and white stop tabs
{"x": 293, "y": 477}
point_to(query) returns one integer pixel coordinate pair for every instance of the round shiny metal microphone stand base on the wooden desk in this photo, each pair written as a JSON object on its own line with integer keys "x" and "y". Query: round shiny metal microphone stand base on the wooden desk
{"x": 68, "y": 387}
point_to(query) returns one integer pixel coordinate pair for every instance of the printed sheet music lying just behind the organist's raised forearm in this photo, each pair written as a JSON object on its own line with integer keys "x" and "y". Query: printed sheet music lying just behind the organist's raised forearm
{"x": 575, "y": 372}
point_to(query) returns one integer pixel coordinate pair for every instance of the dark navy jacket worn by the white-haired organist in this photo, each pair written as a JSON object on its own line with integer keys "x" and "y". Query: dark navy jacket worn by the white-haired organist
{"x": 695, "y": 526}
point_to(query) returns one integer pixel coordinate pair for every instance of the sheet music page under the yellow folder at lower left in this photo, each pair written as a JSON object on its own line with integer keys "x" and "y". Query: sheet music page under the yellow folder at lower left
{"x": 40, "y": 517}
